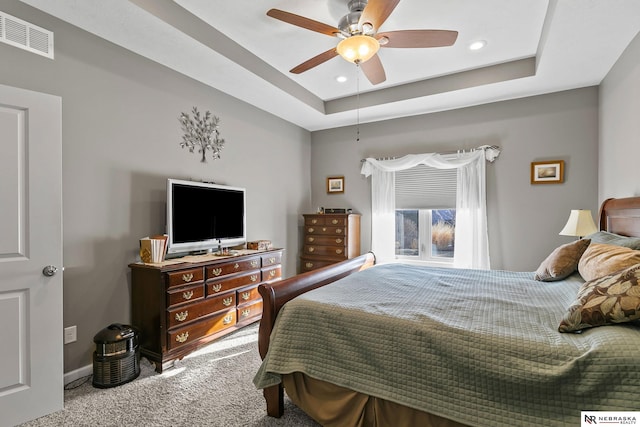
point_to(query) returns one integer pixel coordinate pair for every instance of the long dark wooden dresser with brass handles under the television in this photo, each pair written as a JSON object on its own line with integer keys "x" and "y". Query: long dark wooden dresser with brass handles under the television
{"x": 180, "y": 307}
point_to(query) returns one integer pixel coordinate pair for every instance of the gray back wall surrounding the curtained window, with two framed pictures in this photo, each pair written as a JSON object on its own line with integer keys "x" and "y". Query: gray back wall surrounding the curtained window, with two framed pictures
{"x": 524, "y": 219}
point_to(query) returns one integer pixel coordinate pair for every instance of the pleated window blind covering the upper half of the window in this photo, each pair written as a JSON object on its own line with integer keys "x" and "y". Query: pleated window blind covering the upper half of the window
{"x": 425, "y": 187}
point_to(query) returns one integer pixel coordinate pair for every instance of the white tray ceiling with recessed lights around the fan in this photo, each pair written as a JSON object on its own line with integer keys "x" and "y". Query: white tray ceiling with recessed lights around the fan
{"x": 533, "y": 47}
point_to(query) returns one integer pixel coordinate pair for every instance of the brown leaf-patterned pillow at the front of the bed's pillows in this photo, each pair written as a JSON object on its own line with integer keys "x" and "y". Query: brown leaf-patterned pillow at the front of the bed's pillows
{"x": 609, "y": 300}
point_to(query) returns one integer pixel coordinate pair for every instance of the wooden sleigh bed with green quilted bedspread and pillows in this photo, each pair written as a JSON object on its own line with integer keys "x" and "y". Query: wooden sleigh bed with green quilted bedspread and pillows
{"x": 359, "y": 344}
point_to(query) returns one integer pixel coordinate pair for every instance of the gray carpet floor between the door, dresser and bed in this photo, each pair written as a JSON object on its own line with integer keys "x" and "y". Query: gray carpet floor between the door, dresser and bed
{"x": 210, "y": 387}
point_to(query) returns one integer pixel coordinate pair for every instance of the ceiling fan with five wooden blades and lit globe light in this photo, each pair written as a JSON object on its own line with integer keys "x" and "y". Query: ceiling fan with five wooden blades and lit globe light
{"x": 361, "y": 40}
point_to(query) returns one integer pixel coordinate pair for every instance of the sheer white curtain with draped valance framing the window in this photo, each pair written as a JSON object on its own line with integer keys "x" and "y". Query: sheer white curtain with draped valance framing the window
{"x": 471, "y": 237}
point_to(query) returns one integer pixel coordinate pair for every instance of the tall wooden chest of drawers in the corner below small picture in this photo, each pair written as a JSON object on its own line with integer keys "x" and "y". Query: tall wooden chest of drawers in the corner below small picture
{"x": 329, "y": 238}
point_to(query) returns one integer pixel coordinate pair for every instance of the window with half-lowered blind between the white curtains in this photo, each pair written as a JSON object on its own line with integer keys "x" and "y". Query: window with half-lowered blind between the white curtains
{"x": 425, "y": 217}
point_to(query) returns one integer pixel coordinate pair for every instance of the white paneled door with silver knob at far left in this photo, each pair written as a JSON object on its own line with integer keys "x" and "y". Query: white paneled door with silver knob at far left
{"x": 31, "y": 333}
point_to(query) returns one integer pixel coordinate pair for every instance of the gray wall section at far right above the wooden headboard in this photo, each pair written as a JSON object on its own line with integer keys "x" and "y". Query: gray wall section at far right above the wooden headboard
{"x": 620, "y": 127}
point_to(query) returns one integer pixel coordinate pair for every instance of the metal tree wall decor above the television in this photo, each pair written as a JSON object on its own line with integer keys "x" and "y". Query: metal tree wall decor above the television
{"x": 201, "y": 132}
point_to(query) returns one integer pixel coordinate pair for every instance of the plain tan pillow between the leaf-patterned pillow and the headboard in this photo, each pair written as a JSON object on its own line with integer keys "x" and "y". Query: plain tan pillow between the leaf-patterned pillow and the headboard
{"x": 601, "y": 259}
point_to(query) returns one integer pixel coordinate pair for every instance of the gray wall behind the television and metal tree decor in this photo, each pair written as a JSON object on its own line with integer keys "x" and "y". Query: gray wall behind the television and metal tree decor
{"x": 121, "y": 142}
